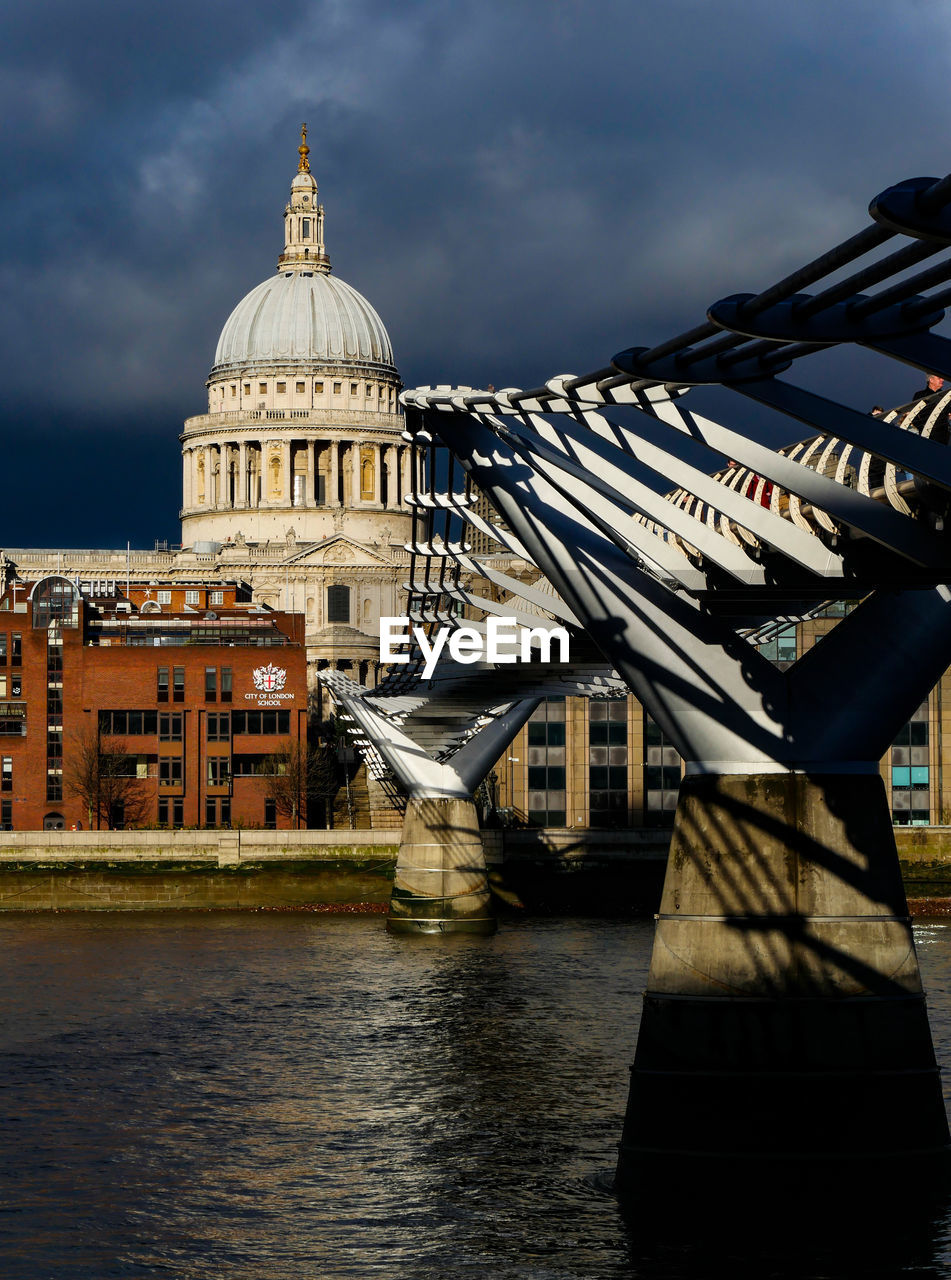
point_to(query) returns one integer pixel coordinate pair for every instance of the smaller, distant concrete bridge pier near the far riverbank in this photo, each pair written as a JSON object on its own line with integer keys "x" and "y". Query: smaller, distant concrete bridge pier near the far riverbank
{"x": 441, "y": 883}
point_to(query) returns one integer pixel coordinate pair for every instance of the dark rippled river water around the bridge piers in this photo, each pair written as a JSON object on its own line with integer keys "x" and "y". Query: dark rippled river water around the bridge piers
{"x": 287, "y": 1096}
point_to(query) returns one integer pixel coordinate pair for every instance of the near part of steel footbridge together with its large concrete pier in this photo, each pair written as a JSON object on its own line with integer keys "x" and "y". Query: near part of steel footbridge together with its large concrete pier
{"x": 784, "y": 1017}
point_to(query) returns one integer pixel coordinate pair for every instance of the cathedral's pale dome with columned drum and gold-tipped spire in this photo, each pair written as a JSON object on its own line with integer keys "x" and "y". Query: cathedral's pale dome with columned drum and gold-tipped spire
{"x": 301, "y": 445}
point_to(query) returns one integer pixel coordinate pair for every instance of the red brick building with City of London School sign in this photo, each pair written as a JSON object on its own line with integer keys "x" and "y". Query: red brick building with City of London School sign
{"x": 184, "y": 693}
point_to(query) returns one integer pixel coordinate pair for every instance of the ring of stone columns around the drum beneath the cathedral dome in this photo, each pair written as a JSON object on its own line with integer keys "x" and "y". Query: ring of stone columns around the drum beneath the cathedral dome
{"x": 235, "y": 476}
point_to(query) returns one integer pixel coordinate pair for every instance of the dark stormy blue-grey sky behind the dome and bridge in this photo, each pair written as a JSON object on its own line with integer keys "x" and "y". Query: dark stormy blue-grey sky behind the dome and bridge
{"x": 520, "y": 188}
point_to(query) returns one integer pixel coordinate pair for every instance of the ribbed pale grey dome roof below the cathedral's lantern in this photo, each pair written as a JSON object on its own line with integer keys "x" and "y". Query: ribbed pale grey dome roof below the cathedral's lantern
{"x": 303, "y": 317}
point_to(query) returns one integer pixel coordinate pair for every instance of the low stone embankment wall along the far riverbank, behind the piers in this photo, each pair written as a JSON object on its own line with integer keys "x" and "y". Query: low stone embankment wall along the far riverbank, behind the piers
{"x": 539, "y": 870}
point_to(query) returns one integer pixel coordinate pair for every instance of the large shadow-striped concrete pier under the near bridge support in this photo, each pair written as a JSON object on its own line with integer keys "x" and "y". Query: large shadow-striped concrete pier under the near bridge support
{"x": 784, "y": 1018}
